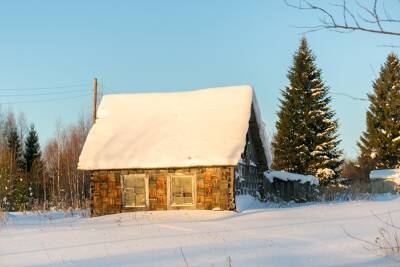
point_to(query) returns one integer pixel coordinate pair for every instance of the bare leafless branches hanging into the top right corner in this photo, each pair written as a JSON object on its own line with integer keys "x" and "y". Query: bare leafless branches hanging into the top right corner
{"x": 344, "y": 16}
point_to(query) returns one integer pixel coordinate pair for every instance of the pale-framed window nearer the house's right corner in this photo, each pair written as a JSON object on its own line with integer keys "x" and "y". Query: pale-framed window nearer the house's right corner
{"x": 182, "y": 190}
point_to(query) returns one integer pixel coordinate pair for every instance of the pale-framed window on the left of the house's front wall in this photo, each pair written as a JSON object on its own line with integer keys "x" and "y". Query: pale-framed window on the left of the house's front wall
{"x": 134, "y": 190}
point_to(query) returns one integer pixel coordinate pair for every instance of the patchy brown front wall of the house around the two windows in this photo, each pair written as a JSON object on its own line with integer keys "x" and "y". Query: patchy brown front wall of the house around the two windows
{"x": 214, "y": 189}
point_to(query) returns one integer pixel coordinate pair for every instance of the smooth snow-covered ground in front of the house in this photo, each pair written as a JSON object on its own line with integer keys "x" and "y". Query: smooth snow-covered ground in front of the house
{"x": 302, "y": 235}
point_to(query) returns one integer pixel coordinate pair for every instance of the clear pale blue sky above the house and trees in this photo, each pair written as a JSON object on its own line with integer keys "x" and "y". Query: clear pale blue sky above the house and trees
{"x": 142, "y": 46}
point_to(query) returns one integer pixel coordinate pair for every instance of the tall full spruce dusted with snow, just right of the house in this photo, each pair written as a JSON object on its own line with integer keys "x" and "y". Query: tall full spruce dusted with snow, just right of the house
{"x": 306, "y": 140}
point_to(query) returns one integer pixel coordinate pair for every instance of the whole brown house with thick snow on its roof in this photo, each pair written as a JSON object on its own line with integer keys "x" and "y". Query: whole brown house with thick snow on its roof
{"x": 181, "y": 150}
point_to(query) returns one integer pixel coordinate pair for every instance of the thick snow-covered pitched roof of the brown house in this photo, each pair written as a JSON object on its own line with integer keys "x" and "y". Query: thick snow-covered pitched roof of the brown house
{"x": 180, "y": 129}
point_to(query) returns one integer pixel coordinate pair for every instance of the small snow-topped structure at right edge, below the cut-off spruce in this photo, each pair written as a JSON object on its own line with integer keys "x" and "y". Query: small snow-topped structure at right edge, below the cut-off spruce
{"x": 385, "y": 181}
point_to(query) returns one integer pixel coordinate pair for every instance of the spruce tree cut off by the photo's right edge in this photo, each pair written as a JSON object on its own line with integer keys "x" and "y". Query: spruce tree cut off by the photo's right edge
{"x": 381, "y": 140}
